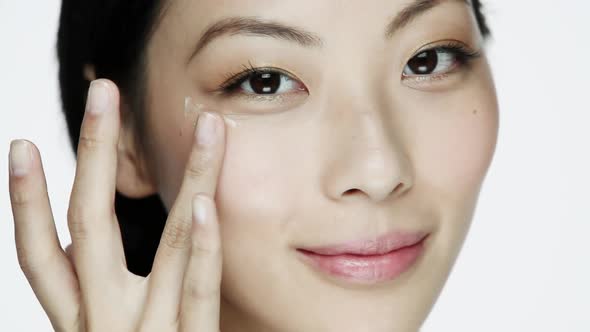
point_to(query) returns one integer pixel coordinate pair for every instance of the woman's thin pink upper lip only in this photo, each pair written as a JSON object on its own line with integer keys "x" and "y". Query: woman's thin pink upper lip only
{"x": 378, "y": 246}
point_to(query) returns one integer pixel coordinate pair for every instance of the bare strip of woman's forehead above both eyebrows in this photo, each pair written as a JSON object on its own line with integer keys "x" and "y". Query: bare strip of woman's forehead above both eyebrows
{"x": 184, "y": 20}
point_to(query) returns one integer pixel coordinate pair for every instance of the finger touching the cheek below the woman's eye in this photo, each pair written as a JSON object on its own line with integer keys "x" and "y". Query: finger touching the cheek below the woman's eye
{"x": 201, "y": 175}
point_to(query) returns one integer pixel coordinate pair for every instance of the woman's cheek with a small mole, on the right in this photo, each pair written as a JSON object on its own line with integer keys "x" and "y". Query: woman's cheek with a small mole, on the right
{"x": 455, "y": 139}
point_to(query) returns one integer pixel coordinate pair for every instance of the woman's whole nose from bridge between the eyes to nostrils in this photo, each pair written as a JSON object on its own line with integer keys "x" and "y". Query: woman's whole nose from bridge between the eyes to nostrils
{"x": 368, "y": 156}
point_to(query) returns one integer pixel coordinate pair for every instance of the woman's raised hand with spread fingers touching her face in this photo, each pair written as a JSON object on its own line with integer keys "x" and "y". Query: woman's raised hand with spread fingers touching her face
{"x": 92, "y": 290}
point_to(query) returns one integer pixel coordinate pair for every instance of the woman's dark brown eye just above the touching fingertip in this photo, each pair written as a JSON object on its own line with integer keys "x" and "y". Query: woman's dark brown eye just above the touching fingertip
{"x": 256, "y": 81}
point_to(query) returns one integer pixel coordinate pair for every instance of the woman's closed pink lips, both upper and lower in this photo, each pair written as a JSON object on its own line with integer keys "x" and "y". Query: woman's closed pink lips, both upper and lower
{"x": 369, "y": 261}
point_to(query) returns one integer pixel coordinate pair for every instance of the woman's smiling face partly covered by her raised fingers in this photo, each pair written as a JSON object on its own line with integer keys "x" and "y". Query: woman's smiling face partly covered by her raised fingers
{"x": 362, "y": 119}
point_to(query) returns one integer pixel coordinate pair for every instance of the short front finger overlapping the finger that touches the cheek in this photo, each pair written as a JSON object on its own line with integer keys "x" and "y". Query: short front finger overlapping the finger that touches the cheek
{"x": 201, "y": 286}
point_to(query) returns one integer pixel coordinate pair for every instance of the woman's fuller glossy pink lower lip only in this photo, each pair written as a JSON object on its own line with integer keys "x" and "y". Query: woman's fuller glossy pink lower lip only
{"x": 366, "y": 268}
